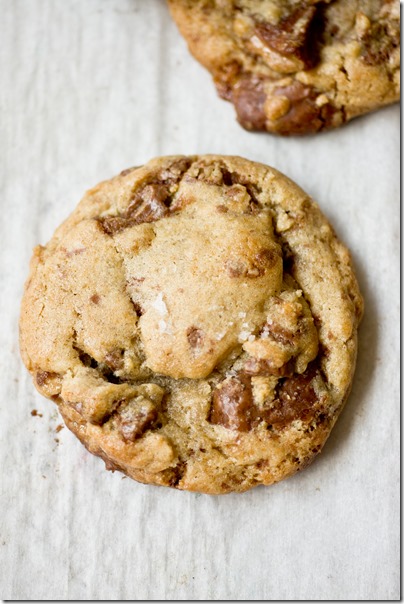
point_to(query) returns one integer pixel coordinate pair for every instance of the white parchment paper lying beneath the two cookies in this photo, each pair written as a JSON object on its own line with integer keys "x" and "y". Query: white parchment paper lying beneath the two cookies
{"x": 88, "y": 88}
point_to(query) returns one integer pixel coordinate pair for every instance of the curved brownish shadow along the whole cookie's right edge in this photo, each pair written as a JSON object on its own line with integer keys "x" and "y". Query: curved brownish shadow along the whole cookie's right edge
{"x": 367, "y": 358}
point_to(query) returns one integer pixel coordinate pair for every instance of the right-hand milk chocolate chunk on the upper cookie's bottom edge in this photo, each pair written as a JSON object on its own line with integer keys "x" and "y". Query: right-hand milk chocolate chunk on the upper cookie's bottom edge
{"x": 304, "y": 115}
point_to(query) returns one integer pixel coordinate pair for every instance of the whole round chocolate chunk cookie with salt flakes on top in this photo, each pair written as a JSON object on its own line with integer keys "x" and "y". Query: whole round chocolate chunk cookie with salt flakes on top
{"x": 195, "y": 321}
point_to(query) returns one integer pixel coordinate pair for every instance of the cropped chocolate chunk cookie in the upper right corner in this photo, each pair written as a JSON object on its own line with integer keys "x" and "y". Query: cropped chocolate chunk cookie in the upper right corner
{"x": 292, "y": 67}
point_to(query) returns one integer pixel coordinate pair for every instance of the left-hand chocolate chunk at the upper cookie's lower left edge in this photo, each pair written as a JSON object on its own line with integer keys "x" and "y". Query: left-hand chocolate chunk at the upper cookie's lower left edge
{"x": 249, "y": 101}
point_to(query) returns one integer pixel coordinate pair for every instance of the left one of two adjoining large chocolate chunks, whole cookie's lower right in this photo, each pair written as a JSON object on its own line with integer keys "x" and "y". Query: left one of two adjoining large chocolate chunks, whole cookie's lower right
{"x": 232, "y": 404}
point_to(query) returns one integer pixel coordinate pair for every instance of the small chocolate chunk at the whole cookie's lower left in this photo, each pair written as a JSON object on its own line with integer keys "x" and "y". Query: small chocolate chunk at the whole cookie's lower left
{"x": 135, "y": 418}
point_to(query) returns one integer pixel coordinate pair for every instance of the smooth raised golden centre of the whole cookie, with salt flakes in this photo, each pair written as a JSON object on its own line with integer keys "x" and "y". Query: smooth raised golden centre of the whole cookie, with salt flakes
{"x": 189, "y": 274}
